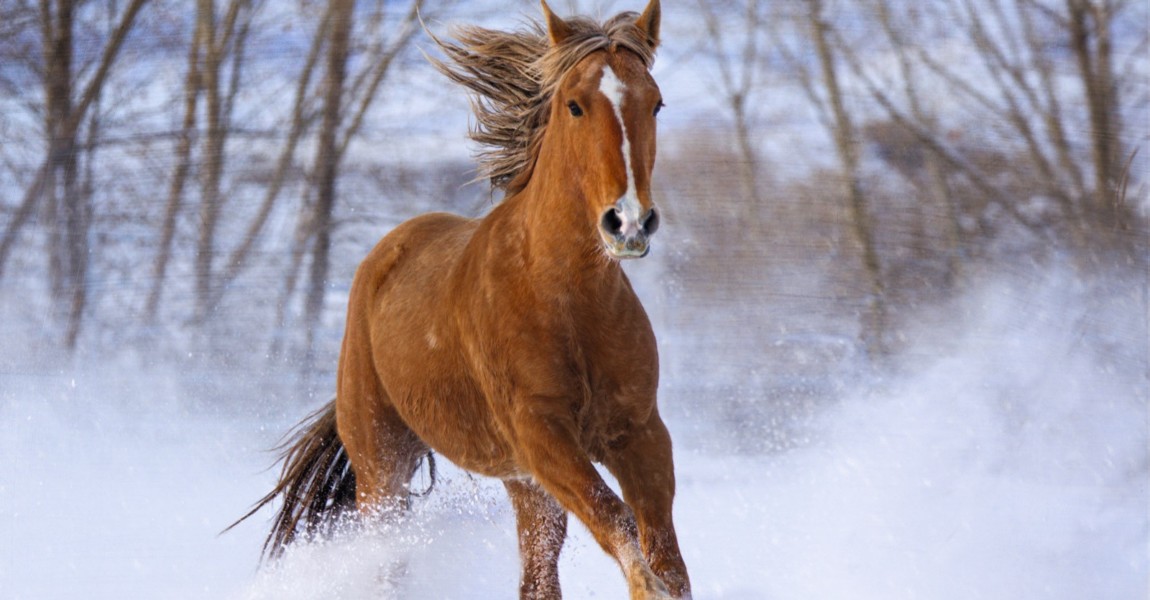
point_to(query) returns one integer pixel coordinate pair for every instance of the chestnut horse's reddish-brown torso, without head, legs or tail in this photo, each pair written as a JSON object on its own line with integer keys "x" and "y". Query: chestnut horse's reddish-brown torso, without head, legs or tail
{"x": 488, "y": 332}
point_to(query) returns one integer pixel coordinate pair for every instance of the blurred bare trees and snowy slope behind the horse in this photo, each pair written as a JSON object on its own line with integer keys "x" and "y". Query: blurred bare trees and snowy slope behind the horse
{"x": 196, "y": 182}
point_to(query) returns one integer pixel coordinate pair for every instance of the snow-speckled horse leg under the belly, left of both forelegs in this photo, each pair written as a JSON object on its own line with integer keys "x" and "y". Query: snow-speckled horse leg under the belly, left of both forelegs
{"x": 542, "y": 526}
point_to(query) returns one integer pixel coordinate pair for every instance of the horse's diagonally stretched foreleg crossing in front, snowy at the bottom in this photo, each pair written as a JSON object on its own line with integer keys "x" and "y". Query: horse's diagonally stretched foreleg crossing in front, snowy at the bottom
{"x": 549, "y": 448}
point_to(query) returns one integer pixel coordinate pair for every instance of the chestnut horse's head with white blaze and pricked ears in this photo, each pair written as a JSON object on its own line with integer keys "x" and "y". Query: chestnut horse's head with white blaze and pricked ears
{"x": 603, "y": 127}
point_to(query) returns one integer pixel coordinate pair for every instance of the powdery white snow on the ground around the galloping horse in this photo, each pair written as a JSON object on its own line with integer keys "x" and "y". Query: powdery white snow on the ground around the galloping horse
{"x": 1009, "y": 461}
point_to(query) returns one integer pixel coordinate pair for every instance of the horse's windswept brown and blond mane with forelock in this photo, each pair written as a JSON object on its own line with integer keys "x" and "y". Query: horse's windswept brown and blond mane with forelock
{"x": 512, "y": 76}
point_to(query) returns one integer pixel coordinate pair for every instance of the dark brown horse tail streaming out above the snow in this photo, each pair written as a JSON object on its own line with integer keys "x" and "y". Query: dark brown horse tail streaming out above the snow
{"x": 317, "y": 483}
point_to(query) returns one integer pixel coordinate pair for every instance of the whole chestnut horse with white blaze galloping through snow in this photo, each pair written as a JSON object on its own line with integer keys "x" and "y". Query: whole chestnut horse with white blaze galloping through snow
{"x": 513, "y": 345}
